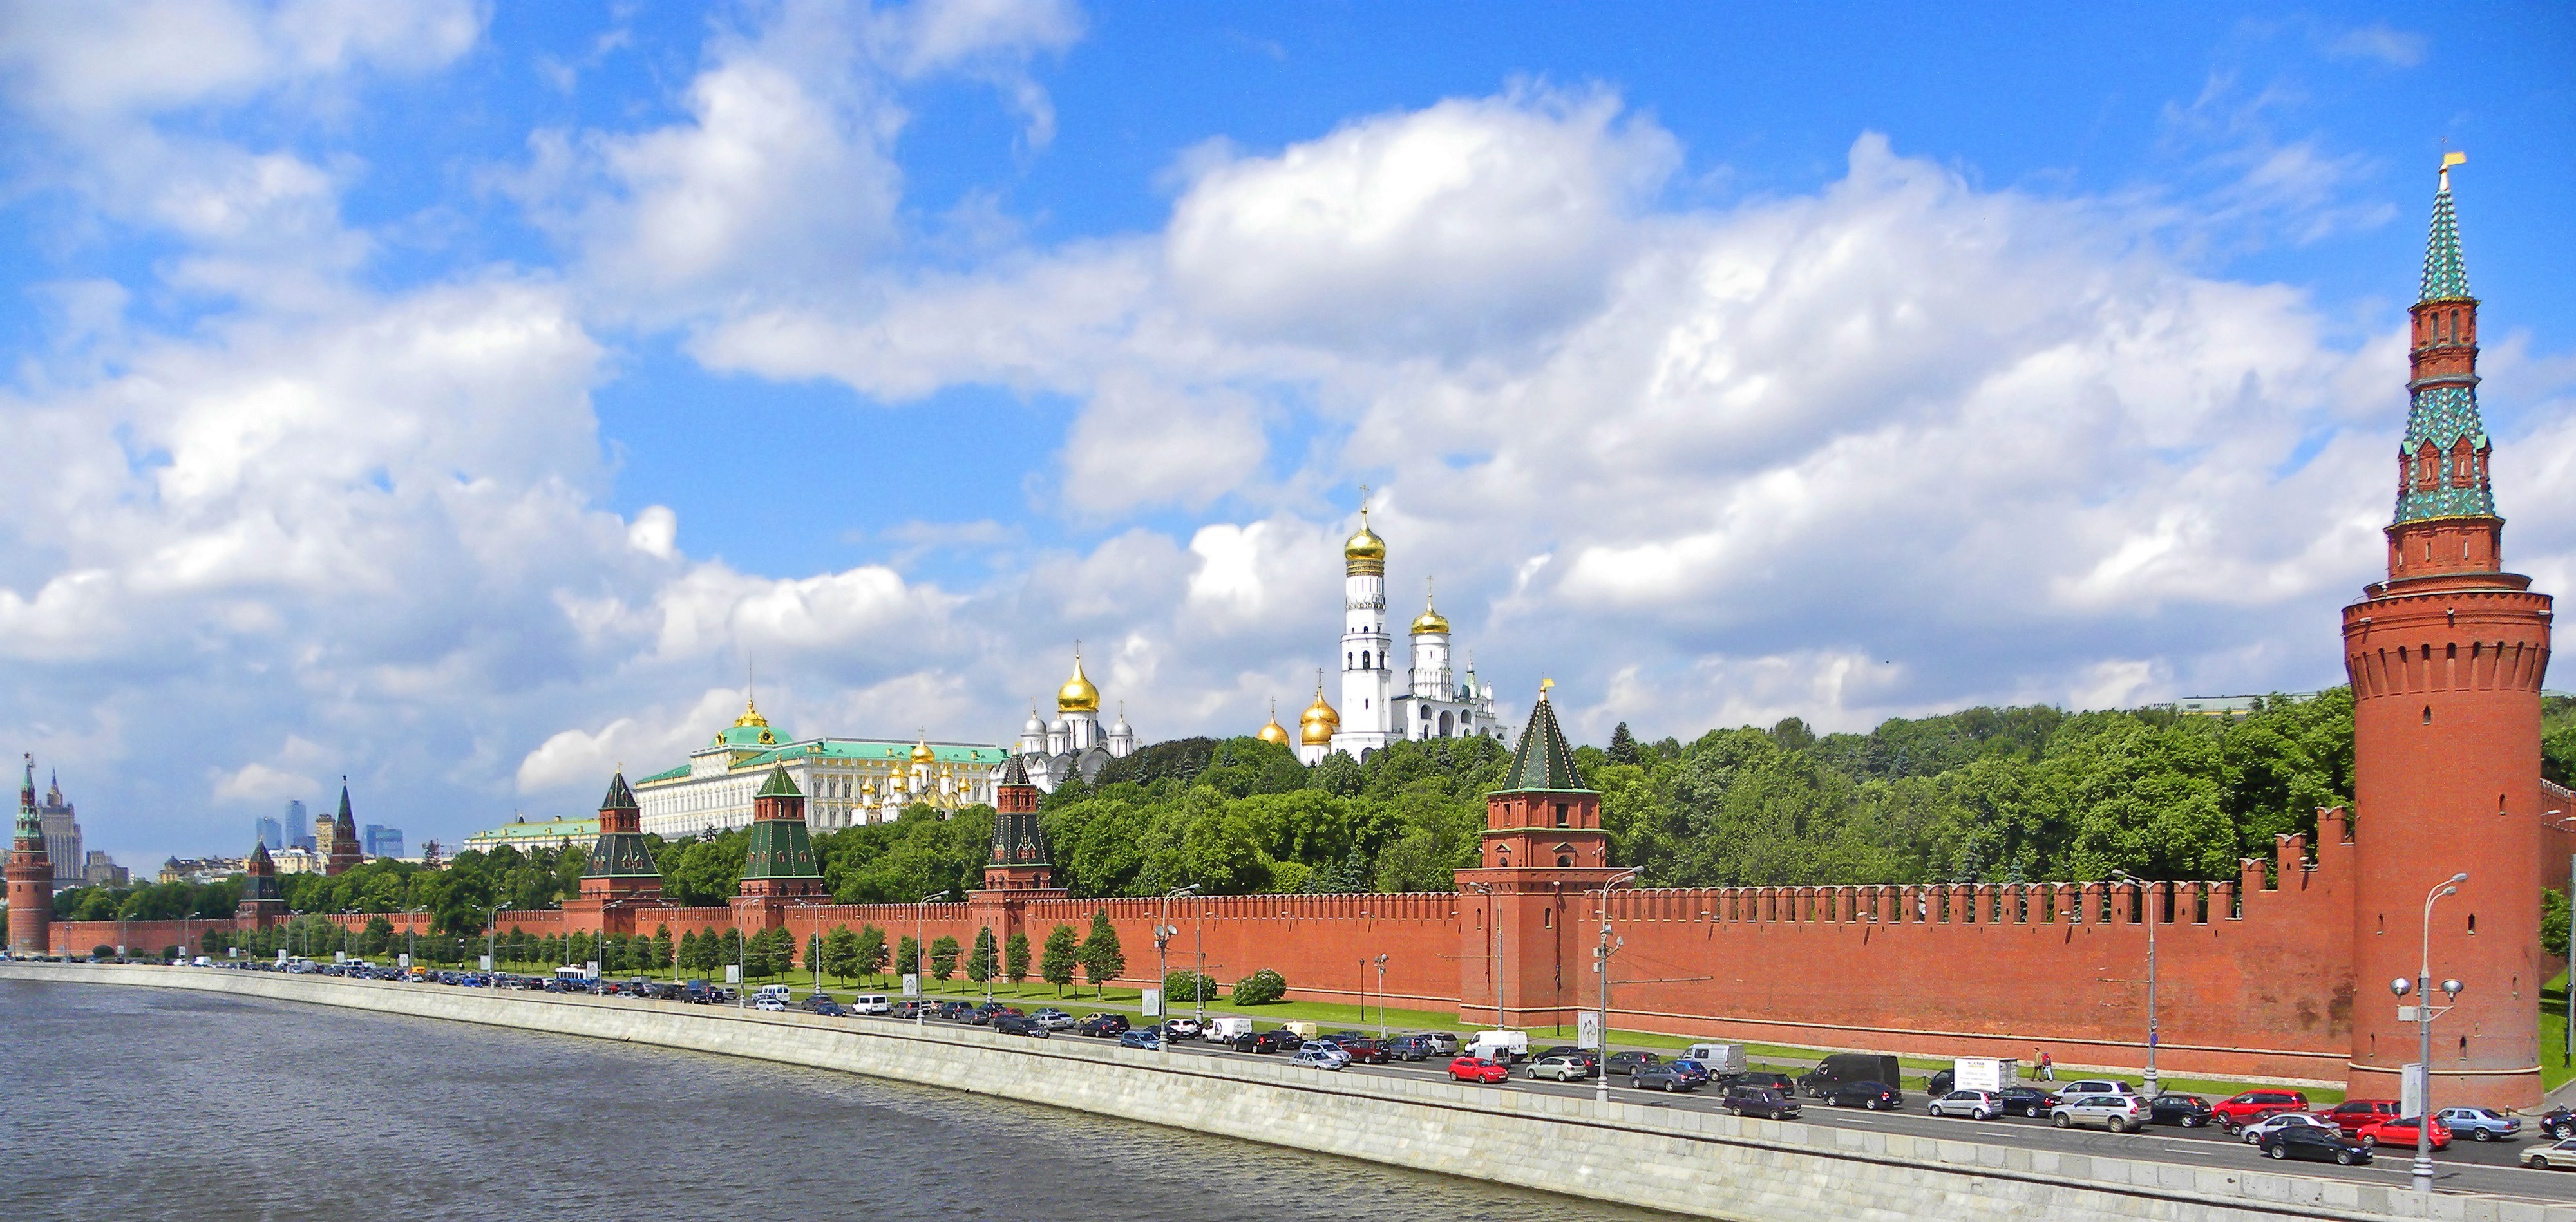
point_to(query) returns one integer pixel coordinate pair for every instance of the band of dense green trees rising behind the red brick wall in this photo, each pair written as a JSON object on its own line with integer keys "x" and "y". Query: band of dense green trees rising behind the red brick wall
{"x": 1980, "y": 795}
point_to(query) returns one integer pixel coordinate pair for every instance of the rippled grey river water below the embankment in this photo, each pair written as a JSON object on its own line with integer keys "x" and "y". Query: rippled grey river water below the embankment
{"x": 140, "y": 1105}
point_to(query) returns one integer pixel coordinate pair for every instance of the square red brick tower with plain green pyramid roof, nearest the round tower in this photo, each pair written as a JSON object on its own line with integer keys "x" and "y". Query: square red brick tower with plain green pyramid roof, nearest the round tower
{"x": 1544, "y": 849}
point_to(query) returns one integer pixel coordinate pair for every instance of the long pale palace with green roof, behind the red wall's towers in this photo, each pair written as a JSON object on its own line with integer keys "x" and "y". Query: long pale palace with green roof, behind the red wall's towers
{"x": 844, "y": 780}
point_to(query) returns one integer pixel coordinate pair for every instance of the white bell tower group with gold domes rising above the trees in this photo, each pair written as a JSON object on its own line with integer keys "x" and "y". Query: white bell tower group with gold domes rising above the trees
{"x": 1431, "y": 703}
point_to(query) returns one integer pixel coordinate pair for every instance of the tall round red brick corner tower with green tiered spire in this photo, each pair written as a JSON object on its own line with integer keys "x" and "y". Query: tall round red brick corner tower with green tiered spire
{"x": 2446, "y": 666}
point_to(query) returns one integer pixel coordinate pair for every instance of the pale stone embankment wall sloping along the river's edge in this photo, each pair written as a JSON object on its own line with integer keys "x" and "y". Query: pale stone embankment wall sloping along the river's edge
{"x": 1681, "y": 1161}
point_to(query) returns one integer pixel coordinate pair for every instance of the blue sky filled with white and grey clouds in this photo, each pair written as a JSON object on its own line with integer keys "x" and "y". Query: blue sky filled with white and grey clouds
{"x": 462, "y": 396}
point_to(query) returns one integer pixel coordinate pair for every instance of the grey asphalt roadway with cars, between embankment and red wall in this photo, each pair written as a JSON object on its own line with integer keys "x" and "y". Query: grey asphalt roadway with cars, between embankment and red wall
{"x": 2467, "y": 1167}
